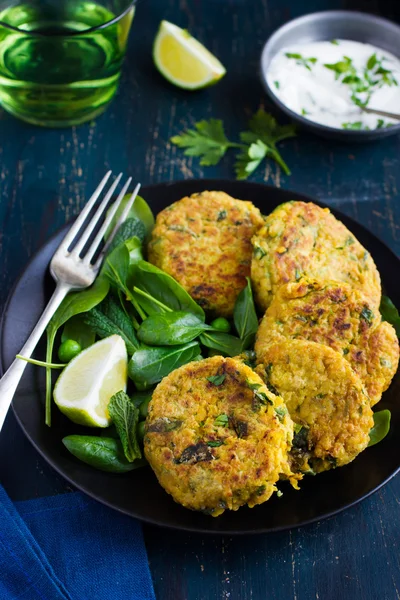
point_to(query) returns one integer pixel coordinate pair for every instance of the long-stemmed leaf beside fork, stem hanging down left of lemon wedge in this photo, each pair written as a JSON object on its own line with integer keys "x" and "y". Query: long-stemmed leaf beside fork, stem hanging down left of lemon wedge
{"x": 74, "y": 304}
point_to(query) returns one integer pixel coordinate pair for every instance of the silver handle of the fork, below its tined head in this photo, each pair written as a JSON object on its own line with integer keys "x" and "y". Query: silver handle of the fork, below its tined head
{"x": 10, "y": 380}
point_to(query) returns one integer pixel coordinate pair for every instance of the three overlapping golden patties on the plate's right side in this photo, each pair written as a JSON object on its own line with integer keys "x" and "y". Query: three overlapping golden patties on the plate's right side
{"x": 321, "y": 343}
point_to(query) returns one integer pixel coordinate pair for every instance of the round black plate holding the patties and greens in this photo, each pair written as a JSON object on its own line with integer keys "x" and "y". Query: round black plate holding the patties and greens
{"x": 138, "y": 493}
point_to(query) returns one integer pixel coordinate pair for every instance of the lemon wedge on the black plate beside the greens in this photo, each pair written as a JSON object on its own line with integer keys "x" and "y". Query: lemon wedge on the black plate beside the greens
{"x": 84, "y": 388}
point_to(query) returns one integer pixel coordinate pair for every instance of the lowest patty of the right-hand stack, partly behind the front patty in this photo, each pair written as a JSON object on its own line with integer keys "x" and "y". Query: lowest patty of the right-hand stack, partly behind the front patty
{"x": 325, "y": 399}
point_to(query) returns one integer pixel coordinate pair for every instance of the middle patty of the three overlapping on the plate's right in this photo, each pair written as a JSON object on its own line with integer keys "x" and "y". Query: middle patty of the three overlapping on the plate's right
{"x": 338, "y": 316}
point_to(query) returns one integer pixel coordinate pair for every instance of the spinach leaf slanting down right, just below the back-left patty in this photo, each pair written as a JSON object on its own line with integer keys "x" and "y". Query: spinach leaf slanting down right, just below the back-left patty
{"x": 164, "y": 289}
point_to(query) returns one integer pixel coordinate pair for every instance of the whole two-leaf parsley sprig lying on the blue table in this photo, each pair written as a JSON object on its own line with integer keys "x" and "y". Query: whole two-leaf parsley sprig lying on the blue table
{"x": 208, "y": 141}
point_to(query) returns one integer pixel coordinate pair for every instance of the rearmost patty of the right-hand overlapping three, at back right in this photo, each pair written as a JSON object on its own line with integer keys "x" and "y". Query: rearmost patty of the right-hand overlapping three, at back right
{"x": 301, "y": 239}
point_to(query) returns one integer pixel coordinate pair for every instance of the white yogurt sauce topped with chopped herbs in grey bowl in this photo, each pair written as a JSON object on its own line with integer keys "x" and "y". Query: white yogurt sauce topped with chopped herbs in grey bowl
{"x": 358, "y": 75}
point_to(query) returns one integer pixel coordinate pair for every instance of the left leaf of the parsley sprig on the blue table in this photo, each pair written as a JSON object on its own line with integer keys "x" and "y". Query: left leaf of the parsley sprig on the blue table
{"x": 207, "y": 140}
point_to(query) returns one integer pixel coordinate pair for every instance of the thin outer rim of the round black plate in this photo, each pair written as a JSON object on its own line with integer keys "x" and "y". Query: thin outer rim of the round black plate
{"x": 148, "y": 520}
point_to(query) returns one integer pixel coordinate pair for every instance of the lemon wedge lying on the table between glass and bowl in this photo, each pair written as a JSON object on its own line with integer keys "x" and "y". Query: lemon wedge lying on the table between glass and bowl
{"x": 183, "y": 60}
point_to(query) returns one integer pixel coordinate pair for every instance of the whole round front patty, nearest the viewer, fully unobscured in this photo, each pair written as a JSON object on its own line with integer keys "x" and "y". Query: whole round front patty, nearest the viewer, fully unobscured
{"x": 216, "y": 437}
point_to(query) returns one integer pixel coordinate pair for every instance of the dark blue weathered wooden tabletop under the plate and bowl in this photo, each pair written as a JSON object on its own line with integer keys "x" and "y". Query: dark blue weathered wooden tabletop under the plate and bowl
{"x": 45, "y": 177}
